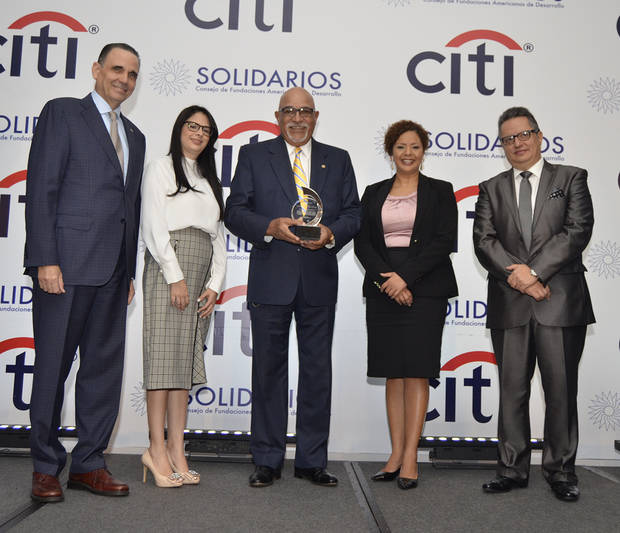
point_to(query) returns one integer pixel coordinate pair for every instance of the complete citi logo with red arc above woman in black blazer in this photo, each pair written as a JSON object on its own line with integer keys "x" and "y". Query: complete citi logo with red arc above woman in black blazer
{"x": 422, "y": 71}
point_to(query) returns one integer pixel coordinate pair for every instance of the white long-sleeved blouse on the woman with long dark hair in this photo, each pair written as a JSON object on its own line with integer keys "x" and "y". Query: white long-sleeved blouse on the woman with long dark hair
{"x": 162, "y": 213}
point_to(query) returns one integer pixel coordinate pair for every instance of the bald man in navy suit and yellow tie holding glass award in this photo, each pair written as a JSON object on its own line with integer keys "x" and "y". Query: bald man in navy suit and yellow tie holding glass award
{"x": 289, "y": 276}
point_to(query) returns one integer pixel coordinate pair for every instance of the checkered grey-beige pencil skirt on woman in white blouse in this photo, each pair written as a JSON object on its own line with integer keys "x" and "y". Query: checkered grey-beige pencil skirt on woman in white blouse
{"x": 173, "y": 340}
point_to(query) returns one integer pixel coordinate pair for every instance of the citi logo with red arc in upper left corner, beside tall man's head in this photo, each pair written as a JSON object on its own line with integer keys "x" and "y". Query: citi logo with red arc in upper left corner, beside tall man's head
{"x": 47, "y": 45}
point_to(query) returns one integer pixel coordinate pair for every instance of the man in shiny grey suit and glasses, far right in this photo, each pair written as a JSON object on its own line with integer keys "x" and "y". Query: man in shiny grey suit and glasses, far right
{"x": 531, "y": 226}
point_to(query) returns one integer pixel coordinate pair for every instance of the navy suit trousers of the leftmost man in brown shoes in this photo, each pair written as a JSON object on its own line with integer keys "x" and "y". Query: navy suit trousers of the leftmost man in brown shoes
{"x": 93, "y": 319}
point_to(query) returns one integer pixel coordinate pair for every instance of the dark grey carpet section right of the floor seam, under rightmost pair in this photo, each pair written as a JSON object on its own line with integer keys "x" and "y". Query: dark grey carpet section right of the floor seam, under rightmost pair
{"x": 452, "y": 500}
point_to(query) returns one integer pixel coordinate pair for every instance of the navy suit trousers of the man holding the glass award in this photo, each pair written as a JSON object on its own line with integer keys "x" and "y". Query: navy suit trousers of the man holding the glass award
{"x": 270, "y": 395}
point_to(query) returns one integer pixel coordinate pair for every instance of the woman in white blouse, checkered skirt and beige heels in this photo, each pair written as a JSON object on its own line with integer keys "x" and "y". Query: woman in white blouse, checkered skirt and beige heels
{"x": 185, "y": 263}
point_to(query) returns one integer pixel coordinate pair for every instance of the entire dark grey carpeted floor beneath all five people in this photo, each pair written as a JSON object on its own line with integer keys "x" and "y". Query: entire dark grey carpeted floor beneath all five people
{"x": 445, "y": 501}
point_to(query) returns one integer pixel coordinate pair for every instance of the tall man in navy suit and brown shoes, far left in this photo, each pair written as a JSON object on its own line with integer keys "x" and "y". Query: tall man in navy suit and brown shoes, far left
{"x": 82, "y": 219}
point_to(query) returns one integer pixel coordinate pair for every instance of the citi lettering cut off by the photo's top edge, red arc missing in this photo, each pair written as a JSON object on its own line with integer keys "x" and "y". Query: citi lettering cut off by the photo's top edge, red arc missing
{"x": 215, "y": 21}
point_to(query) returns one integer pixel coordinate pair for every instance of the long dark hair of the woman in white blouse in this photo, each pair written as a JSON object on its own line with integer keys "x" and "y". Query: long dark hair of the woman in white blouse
{"x": 205, "y": 161}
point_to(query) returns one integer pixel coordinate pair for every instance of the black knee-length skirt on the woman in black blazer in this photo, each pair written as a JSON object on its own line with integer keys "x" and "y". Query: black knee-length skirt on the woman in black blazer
{"x": 404, "y": 342}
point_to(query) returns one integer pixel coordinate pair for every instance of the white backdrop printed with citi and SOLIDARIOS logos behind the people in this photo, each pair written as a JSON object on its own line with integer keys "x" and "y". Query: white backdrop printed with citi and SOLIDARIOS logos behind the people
{"x": 452, "y": 65}
